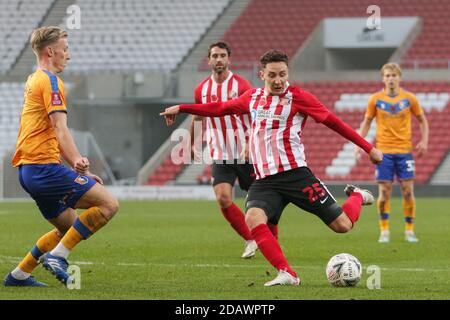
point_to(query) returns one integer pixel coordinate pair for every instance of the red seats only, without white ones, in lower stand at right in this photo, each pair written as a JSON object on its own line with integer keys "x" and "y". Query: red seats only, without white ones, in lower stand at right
{"x": 314, "y": 138}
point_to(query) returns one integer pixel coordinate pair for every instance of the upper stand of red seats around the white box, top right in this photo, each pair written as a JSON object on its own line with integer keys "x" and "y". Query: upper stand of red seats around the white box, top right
{"x": 285, "y": 25}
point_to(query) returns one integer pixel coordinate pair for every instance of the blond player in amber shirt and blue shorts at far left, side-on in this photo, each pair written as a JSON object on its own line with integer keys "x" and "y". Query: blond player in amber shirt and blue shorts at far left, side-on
{"x": 57, "y": 190}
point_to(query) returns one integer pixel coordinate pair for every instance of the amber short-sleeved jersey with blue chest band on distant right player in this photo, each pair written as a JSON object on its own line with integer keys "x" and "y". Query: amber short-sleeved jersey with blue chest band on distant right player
{"x": 393, "y": 116}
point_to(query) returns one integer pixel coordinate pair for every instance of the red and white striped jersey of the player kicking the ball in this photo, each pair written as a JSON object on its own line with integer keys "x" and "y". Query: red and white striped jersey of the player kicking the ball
{"x": 277, "y": 123}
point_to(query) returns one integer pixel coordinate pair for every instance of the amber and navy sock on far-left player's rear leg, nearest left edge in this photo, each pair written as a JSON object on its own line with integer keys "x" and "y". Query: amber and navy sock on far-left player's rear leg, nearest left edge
{"x": 45, "y": 243}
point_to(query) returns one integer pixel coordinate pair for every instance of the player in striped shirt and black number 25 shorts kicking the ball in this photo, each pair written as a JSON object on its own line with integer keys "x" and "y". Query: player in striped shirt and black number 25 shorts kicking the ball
{"x": 278, "y": 112}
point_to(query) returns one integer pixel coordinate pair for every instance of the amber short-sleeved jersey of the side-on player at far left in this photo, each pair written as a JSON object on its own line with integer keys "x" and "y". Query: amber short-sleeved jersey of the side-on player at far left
{"x": 37, "y": 142}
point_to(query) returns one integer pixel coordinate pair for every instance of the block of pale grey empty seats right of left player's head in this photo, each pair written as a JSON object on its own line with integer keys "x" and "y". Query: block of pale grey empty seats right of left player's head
{"x": 127, "y": 35}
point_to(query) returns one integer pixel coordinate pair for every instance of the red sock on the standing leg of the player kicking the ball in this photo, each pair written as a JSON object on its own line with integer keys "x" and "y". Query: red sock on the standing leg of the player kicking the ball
{"x": 270, "y": 248}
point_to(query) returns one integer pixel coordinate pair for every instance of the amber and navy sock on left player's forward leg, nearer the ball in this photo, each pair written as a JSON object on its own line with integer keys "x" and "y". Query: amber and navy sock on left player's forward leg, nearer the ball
{"x": 89, "y": 222}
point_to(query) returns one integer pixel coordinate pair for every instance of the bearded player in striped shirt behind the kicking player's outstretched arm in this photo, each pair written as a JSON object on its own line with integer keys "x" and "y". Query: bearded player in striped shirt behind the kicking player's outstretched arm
{"x": 227, "y": 138}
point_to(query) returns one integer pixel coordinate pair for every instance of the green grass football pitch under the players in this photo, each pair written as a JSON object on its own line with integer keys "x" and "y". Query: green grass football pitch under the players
{"x": 186, "y": 250}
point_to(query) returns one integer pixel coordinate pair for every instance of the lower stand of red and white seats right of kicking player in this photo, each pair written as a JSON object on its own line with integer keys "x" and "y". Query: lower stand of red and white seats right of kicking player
{"x": 322, "y": 145}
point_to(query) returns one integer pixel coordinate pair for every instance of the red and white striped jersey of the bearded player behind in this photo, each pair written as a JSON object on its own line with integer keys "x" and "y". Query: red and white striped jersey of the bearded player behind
{"x": 227, "y": 135}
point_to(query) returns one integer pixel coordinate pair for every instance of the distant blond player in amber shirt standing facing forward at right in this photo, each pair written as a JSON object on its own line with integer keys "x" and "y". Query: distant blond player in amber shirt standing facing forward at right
{"x": 392, "y": 109}
